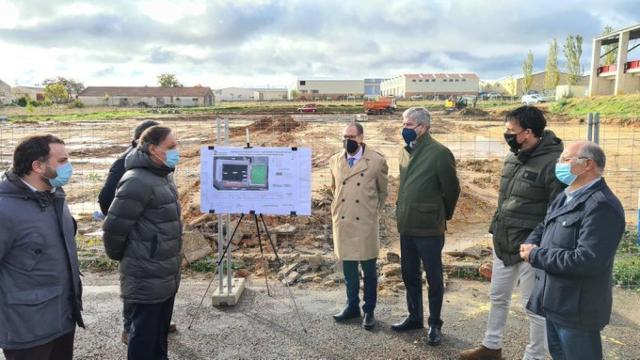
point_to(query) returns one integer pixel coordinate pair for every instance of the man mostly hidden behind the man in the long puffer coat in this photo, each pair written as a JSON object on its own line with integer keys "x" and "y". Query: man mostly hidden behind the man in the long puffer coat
{"x": 105, "y": 198}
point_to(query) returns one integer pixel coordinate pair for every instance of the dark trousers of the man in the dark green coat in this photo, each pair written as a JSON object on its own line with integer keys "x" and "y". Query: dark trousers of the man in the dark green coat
{"x": 429, "y": 250}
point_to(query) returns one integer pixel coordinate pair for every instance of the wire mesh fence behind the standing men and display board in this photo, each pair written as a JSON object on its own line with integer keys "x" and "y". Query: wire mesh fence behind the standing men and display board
{"x": 477, "y": 143}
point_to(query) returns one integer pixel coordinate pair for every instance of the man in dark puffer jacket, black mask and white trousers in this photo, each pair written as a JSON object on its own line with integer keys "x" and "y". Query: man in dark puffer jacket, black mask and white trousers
{"x": 527, "y": 186}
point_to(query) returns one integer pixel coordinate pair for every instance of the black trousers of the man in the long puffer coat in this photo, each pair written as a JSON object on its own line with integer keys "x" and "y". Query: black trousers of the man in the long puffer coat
{"x": 149, "y": 330}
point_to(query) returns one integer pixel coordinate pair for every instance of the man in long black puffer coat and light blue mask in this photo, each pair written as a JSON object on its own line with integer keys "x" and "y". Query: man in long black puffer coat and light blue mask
{"x": 143, "y": 230}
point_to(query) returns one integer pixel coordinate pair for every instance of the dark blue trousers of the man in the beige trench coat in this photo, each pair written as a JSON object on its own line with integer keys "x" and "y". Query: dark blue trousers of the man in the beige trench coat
{"x": 352, "y": 282}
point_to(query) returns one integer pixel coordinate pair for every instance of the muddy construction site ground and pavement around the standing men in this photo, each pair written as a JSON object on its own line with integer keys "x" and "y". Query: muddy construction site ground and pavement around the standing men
{"x": 261, "y": 324}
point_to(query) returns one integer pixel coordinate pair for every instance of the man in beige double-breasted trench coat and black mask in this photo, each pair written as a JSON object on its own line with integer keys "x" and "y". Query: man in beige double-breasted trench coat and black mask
{"x": 359, "y": 186}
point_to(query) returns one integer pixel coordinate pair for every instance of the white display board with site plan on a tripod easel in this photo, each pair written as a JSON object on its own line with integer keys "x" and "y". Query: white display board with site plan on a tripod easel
{"x": 266, "y": 180}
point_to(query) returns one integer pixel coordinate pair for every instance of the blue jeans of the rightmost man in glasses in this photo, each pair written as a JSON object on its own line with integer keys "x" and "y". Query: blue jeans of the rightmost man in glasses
{"x": 568, "y": 344}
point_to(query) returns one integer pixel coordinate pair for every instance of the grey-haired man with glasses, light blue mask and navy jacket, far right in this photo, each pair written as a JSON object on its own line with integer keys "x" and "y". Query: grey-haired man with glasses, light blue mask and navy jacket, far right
{"x": 573, "y": 251}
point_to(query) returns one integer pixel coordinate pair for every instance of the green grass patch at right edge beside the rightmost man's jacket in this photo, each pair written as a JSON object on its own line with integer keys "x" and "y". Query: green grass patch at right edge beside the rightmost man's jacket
{"x": 626, "y": 266}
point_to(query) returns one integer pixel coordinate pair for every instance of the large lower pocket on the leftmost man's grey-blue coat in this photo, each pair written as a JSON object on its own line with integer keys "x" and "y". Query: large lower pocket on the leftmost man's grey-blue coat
{"x": 33, "y": 314}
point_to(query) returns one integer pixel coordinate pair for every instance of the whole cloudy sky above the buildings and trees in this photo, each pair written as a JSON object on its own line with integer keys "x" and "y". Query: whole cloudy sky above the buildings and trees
{"x": 263, "y": 43}
